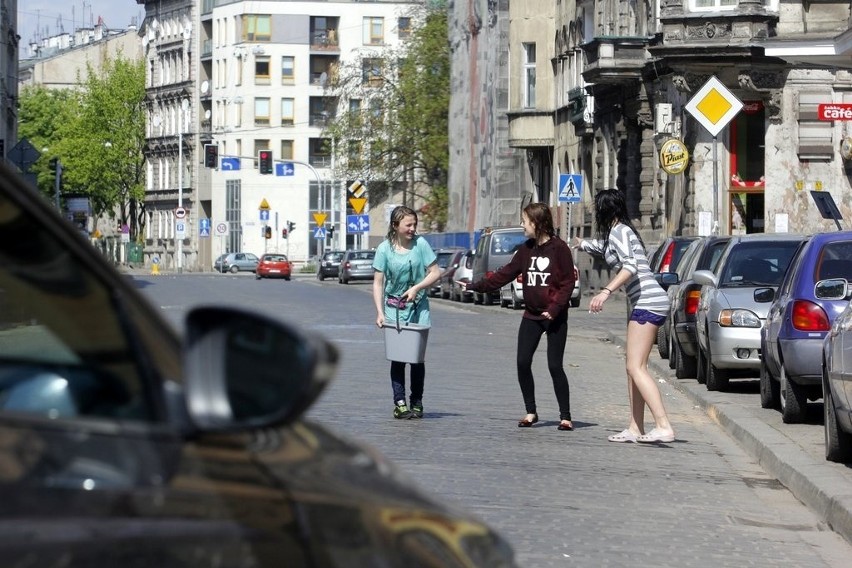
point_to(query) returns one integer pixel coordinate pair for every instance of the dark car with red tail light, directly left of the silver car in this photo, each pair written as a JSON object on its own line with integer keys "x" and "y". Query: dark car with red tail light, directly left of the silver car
{"x": 703, "y": 254}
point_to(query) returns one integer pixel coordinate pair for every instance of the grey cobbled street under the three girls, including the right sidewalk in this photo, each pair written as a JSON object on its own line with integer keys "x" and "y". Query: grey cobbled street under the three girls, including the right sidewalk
{"x": 561, "y": 498}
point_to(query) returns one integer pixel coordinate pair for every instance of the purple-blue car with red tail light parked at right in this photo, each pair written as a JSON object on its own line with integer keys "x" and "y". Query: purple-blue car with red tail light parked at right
{"x": 797, "y": 323}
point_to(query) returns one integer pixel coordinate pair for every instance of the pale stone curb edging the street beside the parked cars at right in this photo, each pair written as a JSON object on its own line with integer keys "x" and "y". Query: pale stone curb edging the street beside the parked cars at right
{"x": 810, "y": 482}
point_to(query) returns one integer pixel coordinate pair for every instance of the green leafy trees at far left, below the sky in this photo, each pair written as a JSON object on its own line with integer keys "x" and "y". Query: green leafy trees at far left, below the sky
{"x": 98, "y": 133}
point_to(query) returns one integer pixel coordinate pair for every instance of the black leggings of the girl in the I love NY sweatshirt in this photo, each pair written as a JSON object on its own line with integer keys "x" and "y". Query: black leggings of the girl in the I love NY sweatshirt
{"x": 529, "y": 335}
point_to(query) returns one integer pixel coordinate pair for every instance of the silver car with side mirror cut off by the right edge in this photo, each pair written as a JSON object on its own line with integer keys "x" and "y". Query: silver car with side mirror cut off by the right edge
{"x": 837, "y": 374}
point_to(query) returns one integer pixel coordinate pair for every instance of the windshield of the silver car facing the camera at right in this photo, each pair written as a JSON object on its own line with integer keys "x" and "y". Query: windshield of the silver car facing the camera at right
{"x": 758, "y": 263}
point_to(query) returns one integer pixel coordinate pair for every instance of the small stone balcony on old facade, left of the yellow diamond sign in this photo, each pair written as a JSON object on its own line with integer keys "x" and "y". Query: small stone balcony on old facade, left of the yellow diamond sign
{"x": 615, "y": 60}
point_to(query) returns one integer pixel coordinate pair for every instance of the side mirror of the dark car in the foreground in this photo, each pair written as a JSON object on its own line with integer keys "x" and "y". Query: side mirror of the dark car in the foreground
{"x": 246, "y": 370}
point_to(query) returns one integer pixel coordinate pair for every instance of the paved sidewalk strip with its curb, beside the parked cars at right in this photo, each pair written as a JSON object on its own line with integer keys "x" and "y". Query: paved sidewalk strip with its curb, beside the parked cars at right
{"x": 792, "y": 453}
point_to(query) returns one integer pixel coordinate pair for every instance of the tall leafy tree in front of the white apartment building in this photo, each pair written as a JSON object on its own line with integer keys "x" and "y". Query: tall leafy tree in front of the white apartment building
{"x": 392, "y": 124}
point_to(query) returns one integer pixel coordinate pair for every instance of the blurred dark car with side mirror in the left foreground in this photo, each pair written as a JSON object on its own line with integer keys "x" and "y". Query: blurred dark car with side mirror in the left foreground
{"x": 124, "y": 444}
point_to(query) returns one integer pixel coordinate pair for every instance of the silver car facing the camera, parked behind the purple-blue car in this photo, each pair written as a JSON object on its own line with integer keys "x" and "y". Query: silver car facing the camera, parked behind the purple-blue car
{"x": 734, "y": 301}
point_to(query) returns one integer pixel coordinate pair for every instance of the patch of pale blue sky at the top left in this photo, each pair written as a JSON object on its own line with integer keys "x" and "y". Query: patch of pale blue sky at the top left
{"x": 50, "y": 17}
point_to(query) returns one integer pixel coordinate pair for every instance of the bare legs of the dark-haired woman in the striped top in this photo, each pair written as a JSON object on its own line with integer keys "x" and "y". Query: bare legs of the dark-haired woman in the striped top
{"x": 640, "y": 340}
